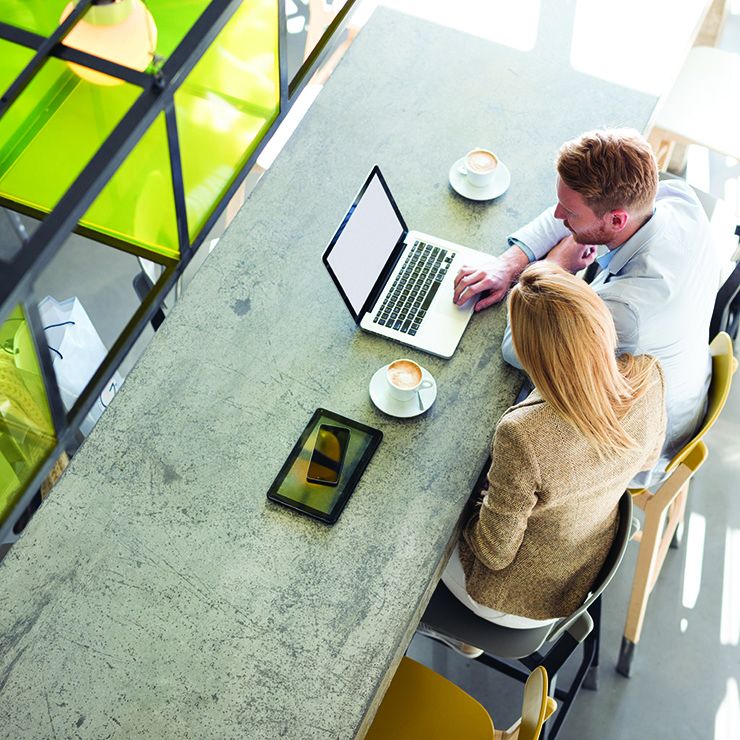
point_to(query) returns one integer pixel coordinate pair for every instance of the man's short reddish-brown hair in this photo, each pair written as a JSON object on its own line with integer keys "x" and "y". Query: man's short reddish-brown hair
{"x": 610, "y": 169}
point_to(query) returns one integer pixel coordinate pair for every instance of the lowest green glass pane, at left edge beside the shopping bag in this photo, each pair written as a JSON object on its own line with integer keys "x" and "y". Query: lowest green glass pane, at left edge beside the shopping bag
{"x": 26, "y": 429}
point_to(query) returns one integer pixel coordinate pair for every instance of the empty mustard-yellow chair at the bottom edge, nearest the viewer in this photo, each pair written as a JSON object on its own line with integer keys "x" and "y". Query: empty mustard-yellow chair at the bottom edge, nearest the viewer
{"x": 422, "y": 705}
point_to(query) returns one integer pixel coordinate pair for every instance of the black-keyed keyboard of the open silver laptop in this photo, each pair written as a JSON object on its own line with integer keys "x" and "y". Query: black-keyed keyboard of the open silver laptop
{"x": 414, "y": 288}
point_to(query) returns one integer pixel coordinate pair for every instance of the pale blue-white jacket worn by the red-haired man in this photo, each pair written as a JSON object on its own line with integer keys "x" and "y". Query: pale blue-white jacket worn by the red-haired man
{"x": 660, "y": 286}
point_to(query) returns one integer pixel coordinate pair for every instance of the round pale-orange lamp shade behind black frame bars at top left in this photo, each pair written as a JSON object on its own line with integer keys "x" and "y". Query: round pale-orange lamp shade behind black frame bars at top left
{"x": 122, "y": 31}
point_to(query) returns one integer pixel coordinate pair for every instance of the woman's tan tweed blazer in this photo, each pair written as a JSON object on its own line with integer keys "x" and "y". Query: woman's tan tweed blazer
{"x": 540, "y": 537}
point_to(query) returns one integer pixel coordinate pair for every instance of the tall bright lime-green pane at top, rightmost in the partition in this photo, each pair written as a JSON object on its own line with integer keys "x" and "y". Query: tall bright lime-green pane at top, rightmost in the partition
{"x": 226, "y": 105}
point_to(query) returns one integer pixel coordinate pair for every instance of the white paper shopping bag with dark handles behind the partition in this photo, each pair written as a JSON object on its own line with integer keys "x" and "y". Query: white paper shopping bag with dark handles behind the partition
{"x": 77, "y": 351}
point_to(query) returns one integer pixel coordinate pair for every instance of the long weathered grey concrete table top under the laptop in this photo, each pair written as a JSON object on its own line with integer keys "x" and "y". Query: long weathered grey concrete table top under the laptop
{"x": 157, "y": 593}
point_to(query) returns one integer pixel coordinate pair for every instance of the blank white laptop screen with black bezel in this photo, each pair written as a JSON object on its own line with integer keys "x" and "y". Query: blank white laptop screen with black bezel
{"x": 364, "y": 241}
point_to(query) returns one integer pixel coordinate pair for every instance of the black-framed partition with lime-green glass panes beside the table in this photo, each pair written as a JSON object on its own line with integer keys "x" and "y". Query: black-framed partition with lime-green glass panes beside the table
{"x": 212, "y": 79}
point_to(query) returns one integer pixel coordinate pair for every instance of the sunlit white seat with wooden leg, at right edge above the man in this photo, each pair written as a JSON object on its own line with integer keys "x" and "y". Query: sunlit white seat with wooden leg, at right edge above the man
{"x": 703, "y": 106}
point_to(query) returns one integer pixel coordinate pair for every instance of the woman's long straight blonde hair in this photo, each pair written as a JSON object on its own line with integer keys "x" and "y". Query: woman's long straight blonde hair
{"x": 565, "y": 339}
